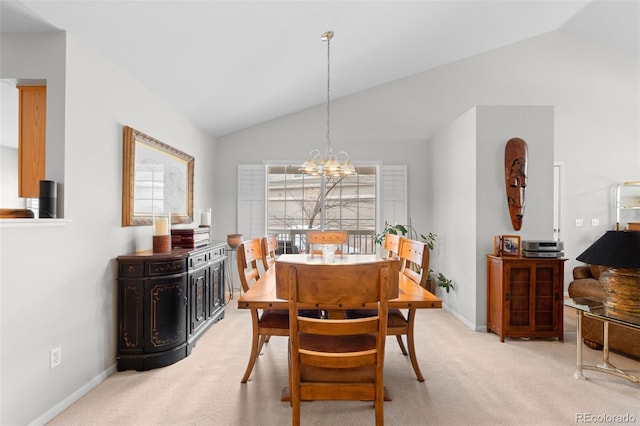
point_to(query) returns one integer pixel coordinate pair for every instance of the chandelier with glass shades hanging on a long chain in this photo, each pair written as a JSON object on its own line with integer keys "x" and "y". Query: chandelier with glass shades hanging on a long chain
{"x": 328, "y": 164}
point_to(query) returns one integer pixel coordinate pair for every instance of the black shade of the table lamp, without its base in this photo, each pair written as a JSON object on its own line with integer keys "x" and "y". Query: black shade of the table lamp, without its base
{"x": 616, "y": 249}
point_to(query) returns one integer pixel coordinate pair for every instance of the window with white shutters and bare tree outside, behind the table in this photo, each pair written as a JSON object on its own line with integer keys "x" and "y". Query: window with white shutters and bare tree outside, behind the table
{"x": 277, "y": 198}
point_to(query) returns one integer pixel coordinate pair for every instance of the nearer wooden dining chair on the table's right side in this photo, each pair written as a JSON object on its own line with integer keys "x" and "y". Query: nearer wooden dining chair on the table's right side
{"x": 414, "y": 256}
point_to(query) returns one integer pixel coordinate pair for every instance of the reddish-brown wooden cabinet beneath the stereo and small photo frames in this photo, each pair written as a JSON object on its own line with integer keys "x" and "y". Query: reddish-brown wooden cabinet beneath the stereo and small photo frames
{"x": 524, "y": 297}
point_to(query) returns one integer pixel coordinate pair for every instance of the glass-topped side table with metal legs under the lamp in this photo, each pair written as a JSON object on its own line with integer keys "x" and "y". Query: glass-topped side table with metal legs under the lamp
{"x": 593, "y": 308}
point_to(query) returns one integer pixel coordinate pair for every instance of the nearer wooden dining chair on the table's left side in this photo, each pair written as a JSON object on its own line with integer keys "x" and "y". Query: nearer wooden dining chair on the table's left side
{"x": 266, "y": 322}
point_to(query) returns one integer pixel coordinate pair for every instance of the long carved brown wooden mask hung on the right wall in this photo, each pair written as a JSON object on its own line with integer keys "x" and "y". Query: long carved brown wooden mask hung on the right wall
{"x": 515, "y": 173}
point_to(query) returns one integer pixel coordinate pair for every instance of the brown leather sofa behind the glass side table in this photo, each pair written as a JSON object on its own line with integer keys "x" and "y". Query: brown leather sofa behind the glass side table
{"x": 621, "y": 339}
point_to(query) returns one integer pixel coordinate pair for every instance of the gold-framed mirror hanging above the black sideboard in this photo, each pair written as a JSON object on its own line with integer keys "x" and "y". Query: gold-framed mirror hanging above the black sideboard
{"x": 156, "y": 178}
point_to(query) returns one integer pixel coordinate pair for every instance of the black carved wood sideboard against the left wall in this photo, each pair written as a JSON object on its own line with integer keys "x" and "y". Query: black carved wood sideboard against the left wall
{"x": 166, "y": 302}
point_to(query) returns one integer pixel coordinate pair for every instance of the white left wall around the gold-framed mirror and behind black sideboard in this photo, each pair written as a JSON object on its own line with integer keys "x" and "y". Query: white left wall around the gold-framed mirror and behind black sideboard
{"x": 58, "y": 283}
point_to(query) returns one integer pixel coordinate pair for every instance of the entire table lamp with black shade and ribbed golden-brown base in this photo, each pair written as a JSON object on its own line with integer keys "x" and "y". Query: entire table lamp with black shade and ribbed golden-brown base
{"x": 619, "y": 251}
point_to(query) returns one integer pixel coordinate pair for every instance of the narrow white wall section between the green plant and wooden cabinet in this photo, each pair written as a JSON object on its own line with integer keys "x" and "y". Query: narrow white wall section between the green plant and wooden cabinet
{"x": 453, "y": 211}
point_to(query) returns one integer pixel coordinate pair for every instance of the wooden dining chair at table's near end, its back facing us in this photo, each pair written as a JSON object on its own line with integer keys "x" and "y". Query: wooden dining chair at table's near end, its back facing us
{"x": 340, "y": 359}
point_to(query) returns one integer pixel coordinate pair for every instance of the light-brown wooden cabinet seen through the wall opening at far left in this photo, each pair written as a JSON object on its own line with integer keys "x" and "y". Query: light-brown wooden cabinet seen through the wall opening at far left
{"x": 32, "y": 132}
